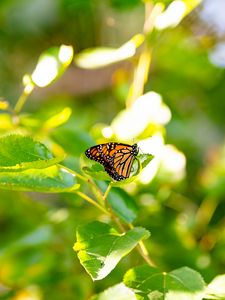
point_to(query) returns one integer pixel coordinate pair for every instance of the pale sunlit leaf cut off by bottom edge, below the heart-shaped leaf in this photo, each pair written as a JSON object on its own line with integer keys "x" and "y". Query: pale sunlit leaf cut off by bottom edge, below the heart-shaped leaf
{"x": 117, "y": 292}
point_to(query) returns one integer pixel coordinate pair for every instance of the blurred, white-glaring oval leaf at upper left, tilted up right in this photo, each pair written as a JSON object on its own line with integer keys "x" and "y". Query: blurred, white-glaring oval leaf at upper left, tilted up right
{"x": 51, "y": 65}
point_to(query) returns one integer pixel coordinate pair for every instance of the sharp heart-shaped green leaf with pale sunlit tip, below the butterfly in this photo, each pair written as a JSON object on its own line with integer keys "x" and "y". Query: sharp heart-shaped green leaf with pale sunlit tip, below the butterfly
{"x": 100, "y": 247}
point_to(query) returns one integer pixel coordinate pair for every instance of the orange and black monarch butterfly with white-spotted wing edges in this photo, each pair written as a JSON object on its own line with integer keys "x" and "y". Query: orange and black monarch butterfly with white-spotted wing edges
{"x": 117, "y": 158}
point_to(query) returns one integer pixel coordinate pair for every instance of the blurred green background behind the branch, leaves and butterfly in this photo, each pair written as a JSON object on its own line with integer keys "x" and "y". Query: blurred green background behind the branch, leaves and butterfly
{"x": 181, "y": 197}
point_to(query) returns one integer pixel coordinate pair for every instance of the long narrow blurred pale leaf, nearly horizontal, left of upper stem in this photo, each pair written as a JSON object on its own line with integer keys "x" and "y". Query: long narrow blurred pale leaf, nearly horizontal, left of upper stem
{"x": 100, "y": 57}
